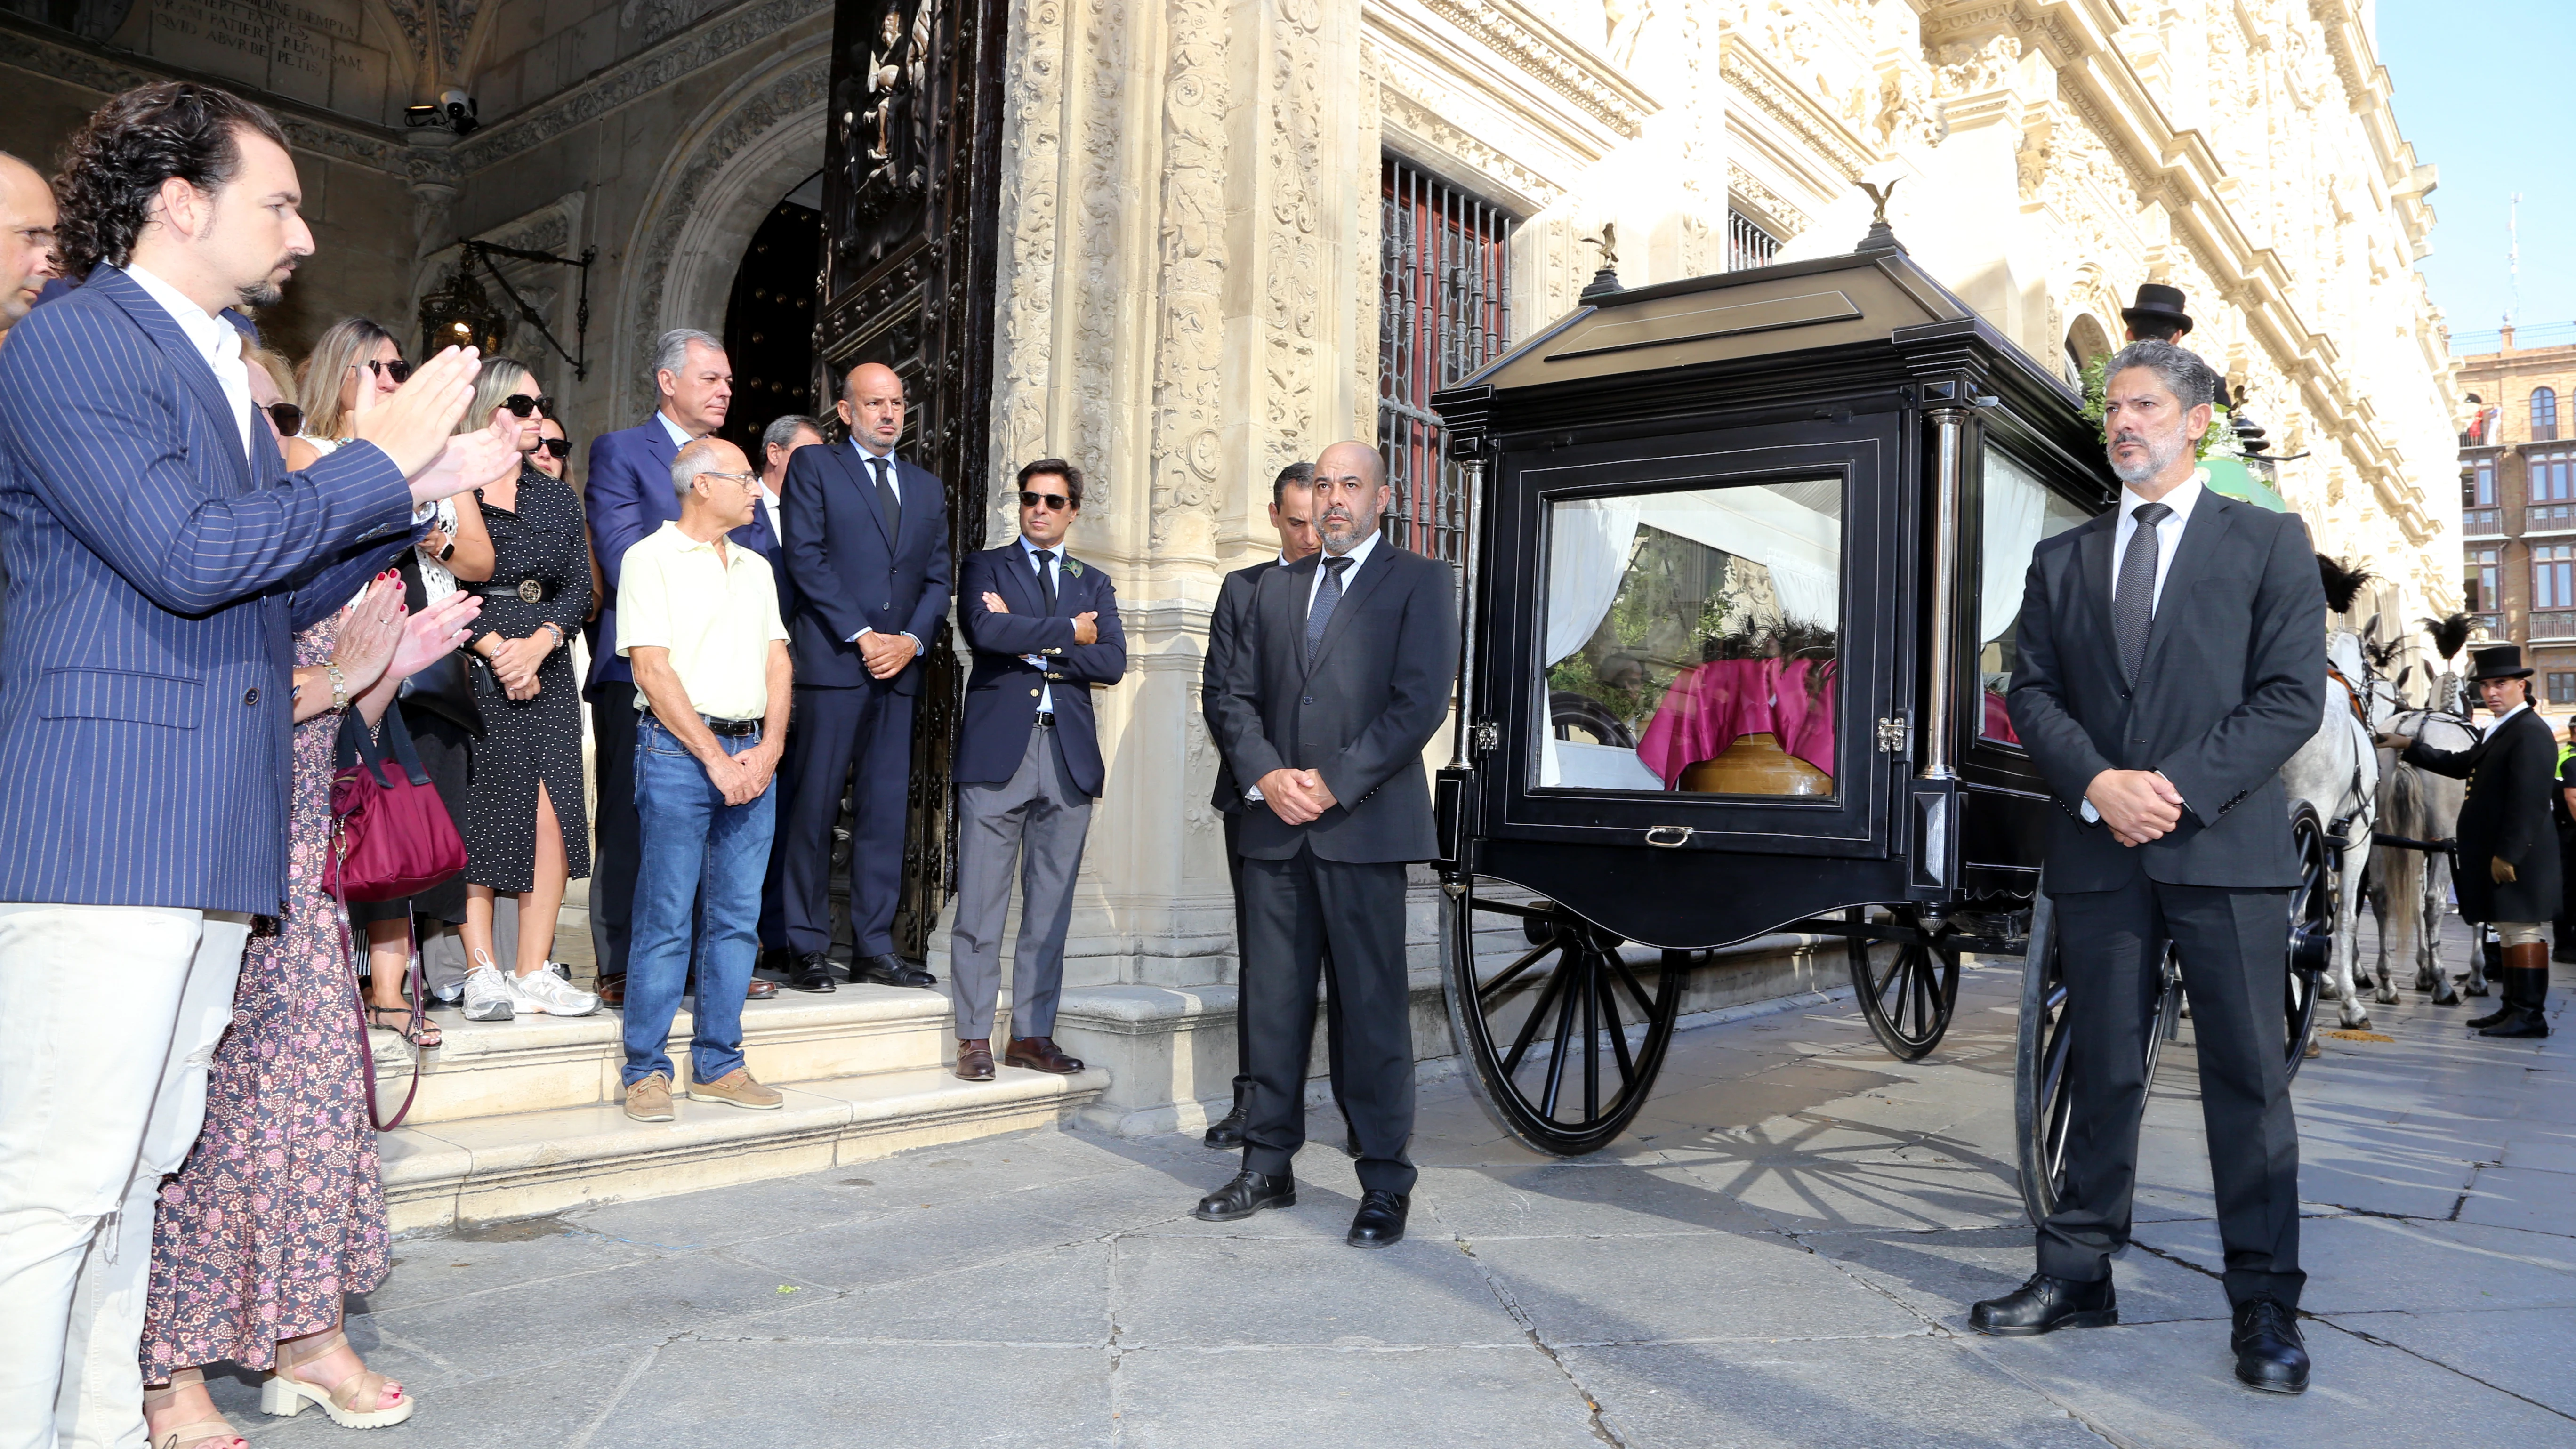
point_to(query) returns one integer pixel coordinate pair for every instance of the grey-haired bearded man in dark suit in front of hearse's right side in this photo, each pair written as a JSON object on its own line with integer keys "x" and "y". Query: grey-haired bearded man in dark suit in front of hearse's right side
{"x": 2173, "y": 656}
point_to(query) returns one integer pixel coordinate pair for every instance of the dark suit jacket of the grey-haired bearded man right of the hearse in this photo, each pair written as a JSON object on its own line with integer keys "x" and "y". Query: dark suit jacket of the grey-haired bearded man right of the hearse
{"x": 2235, "y": 682}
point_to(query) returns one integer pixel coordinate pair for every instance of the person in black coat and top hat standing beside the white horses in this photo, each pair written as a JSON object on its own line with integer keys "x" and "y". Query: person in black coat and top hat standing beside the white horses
{"x": 2508, "y": 844}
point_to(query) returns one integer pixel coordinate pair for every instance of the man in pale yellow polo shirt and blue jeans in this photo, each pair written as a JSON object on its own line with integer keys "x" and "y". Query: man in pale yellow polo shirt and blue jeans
{"x": 699, "y": 625}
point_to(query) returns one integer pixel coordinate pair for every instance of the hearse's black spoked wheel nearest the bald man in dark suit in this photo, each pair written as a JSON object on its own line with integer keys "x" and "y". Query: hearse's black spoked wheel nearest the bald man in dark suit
{"x": 1562, "y": 1030}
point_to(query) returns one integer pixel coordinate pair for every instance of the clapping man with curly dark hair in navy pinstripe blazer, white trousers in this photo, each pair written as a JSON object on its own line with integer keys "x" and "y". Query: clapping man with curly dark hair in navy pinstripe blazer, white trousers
{"x": 161, "y": 561}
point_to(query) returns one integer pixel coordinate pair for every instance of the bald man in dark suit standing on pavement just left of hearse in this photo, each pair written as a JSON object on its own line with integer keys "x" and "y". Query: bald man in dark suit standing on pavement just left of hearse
{"x": 1338, "y": 685}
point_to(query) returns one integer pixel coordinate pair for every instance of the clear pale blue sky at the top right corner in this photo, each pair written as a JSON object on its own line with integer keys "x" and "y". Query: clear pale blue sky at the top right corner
{"x": 2467, "y": 79}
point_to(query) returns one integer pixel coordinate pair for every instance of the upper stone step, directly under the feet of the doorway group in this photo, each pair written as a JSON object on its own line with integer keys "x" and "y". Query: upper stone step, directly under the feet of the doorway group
{"x": 542, "y": 1064}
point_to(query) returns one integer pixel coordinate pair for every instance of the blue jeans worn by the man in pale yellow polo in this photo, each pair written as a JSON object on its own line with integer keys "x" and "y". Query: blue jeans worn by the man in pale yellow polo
{"x": 692, "y": 847}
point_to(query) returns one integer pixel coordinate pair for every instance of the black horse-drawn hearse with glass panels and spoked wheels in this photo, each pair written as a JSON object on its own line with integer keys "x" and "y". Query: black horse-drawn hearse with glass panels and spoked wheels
{"x": 1740, "y": 605}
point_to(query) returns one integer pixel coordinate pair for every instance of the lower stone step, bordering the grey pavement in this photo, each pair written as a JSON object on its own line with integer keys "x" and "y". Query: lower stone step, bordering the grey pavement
{"x": 547, "y": 1162}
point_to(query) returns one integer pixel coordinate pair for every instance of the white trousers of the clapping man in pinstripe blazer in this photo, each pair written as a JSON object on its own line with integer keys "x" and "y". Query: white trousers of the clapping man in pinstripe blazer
{"x": 109, "y": 1017}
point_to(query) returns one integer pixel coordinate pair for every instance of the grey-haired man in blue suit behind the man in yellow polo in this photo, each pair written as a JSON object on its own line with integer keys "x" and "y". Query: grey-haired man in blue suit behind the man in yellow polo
{"x": 627, "y": 499}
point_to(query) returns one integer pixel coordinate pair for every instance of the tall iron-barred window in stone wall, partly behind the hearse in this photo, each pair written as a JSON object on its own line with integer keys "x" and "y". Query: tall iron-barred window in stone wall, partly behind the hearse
{"x": 1441, "y": 316}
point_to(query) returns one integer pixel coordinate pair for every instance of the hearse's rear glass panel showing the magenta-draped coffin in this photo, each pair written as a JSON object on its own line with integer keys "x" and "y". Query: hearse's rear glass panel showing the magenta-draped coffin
{"x": 1694, "y": 643}
